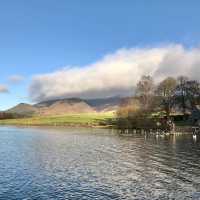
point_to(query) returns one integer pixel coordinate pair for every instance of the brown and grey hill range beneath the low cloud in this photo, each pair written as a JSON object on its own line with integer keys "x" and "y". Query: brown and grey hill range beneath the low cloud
{"x": 68, "y": 105}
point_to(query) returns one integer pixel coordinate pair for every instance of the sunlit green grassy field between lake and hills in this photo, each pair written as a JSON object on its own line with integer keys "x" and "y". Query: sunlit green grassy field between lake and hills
{"x": 89, "y": 119}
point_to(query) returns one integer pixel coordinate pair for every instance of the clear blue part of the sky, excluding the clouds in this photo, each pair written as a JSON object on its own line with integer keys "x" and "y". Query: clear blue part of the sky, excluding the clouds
{"x": 40, "y": 36}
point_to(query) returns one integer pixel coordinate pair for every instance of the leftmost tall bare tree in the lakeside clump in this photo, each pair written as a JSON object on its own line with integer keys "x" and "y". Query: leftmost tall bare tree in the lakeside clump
{"x": 144, "y": 91}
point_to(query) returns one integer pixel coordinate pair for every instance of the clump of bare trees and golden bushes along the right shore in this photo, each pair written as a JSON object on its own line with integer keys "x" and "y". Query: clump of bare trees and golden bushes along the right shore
{"x": 154, "y": 103}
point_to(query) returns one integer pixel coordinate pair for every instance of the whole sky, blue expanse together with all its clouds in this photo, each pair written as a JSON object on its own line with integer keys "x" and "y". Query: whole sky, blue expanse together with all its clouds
{"x": 74, "y": 48}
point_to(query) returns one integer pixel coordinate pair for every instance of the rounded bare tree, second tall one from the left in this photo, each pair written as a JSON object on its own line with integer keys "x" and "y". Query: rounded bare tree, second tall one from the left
{"x": 165, "y": 91}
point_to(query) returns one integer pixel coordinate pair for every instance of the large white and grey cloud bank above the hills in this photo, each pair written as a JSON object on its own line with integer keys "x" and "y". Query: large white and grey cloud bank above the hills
{"x": 117, "y": 73}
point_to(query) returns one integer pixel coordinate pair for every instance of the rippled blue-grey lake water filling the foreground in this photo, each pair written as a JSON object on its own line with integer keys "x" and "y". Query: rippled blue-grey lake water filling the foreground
{"x": 98, "y": 164}
